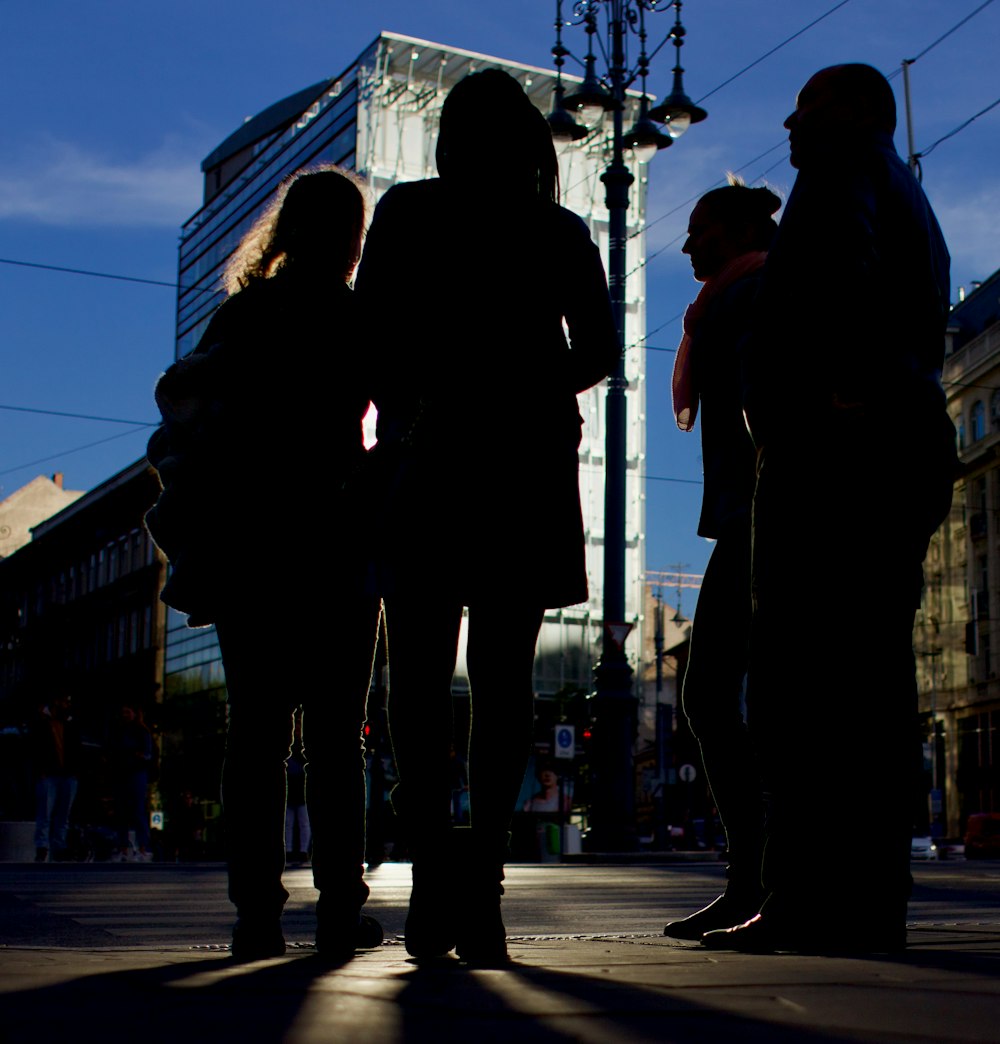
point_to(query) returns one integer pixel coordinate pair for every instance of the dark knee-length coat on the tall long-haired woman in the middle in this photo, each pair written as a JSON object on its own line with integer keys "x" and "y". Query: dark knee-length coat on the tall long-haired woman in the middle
{"x": 466, "y": 302}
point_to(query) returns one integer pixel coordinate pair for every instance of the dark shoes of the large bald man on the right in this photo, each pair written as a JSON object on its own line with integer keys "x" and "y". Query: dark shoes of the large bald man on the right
{"x": 770, "y": 935}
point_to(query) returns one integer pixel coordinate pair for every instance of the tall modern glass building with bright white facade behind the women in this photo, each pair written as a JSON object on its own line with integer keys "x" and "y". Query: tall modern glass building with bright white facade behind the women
{"x": 380, "y": 118}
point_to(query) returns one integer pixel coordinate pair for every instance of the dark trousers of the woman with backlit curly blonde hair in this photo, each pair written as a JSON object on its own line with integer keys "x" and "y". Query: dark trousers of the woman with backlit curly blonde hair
{"x": 325, "y": 667}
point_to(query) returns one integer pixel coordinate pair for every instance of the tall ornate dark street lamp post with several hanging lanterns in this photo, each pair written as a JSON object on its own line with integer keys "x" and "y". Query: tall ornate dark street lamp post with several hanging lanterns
{"x": 576, "y": 116}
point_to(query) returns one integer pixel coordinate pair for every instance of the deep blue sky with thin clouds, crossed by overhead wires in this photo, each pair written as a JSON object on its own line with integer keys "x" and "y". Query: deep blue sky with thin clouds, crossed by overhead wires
{"x": 111, "y": 106}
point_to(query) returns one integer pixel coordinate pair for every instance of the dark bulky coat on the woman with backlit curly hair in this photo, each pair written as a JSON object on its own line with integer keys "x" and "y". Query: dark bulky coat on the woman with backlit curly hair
{"x": 265, "y": 417}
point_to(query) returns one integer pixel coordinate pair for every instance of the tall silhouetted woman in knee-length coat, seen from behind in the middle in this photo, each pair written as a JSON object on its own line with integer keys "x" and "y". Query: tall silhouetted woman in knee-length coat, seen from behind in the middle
{"x": 467, "y": 280}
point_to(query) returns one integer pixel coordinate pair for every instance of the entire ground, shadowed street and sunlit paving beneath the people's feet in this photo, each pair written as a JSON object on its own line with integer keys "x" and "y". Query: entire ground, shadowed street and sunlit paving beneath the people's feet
{"x": 85, "y": 978}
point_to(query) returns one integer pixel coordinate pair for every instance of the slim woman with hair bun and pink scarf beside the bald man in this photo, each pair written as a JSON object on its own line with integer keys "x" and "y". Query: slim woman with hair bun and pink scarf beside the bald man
{"x": 729, "y": 234}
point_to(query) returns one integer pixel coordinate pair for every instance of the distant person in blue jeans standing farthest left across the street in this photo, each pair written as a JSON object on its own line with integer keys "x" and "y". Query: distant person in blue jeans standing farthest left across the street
{"x": 57, "y": 748}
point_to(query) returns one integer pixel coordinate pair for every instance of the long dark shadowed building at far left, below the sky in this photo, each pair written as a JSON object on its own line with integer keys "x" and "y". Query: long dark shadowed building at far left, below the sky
{"x": 80, "y": 612}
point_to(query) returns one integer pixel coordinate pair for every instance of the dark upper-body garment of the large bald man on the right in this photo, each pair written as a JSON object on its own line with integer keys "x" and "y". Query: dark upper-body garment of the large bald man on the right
{"x": 853, "y": 304}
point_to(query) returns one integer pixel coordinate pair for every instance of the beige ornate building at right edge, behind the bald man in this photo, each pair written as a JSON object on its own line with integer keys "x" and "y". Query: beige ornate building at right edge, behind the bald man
{"x": 958, "y": 634}
